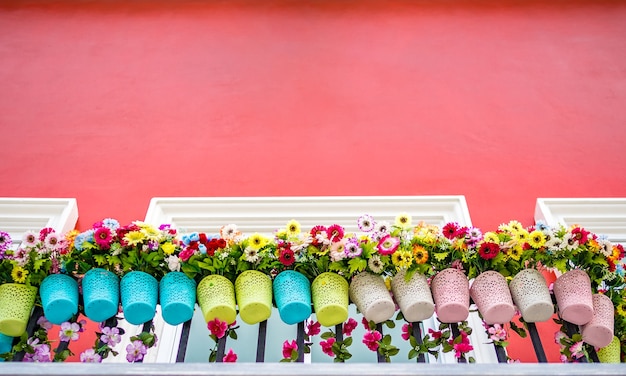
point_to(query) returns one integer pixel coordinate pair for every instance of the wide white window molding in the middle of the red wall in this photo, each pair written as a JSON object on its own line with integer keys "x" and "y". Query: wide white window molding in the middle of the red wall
{"x": 267, "y": 214}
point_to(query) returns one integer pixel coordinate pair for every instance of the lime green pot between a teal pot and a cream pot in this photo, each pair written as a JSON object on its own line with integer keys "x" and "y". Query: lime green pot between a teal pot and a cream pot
{"x": 330, "y": 298}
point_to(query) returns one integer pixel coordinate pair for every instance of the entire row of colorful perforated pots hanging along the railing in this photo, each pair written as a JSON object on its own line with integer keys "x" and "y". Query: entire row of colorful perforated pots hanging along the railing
{"x": 253, "y": 294}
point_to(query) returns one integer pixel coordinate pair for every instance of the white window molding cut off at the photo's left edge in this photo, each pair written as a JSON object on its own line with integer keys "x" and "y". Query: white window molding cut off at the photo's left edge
{"x": 18, "y": 215}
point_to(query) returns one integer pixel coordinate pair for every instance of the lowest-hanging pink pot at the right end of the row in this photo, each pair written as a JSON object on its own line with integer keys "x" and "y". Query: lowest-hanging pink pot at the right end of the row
{"x": 599, "y": 331}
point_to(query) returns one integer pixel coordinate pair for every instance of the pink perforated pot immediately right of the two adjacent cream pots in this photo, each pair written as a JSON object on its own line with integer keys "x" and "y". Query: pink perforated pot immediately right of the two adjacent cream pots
{"x": 450, "y": 289}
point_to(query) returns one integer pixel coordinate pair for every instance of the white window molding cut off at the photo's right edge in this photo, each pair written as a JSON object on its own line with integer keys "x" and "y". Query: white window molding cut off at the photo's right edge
{"x": 603, "y": 216}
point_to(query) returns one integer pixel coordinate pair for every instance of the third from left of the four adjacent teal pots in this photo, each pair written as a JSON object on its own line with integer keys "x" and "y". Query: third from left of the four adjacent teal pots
{"x": 140, "y": 292}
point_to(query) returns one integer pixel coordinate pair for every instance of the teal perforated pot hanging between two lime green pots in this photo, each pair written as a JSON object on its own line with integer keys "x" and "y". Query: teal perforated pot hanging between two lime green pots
{"x": 292, "y": 292}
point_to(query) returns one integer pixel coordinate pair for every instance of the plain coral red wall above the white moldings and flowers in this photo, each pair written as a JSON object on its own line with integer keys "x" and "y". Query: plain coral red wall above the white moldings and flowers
{"x": 115, "y": 102}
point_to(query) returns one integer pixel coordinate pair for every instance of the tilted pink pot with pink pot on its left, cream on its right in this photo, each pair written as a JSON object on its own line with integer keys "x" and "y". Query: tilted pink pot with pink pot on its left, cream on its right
{"x": 491, "y": 294}
